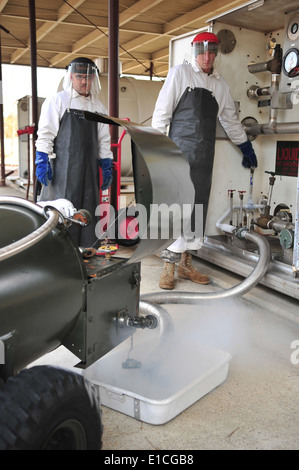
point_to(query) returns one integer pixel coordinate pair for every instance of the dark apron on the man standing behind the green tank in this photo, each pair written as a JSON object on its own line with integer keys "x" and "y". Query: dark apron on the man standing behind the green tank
{"x": 76, "y": 171}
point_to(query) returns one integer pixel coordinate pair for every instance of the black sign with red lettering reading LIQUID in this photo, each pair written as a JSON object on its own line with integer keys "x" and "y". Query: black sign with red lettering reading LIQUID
{"x": 287, "y": 156}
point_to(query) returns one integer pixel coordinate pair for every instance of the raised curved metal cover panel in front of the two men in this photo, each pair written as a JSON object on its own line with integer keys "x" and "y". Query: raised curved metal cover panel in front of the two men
{"x": 163, "y": 187}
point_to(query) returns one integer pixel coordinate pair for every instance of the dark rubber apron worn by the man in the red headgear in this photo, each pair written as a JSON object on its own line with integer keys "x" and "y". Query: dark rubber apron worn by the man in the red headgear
{"x": 193, "y": 129}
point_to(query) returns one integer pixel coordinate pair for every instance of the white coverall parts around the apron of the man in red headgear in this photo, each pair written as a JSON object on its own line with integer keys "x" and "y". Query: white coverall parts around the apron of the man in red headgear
{"x": 180, "y": 78}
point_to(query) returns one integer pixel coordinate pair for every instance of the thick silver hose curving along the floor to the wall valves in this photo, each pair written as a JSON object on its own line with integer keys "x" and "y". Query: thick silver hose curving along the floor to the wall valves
{"x": 240, "y": 289}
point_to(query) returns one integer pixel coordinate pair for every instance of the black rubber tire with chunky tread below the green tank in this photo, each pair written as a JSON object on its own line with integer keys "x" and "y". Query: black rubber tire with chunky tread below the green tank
{"x": 48, "y": 408}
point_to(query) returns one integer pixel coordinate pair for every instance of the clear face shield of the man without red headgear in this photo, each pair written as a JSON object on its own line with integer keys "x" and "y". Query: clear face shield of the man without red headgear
{"x": 79, "y": 73}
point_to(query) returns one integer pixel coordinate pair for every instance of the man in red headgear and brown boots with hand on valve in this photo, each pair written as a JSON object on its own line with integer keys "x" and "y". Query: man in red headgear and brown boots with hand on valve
{"x": 191, "y": 99}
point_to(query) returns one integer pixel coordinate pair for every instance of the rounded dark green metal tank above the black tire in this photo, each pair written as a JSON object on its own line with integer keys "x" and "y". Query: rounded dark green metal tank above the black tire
{"x": 42, "y": 288}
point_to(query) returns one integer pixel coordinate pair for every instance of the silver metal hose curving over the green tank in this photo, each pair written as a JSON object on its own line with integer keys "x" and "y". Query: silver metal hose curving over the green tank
{"x": 34, "y": 237}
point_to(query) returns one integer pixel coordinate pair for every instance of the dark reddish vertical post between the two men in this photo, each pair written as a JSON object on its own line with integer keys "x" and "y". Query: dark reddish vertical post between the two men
{"x": 113, "y": 82}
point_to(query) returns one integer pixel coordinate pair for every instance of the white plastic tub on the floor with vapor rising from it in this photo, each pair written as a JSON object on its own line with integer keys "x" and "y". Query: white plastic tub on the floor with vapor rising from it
{"x": 167, "y": 380}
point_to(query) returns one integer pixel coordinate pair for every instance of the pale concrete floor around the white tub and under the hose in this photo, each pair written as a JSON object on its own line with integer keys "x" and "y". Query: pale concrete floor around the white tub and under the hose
{"x": 257, "y": 407}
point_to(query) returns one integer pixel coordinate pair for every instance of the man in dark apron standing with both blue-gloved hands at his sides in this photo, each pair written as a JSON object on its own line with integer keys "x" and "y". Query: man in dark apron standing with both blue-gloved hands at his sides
{"x": 70, "y": 149}
